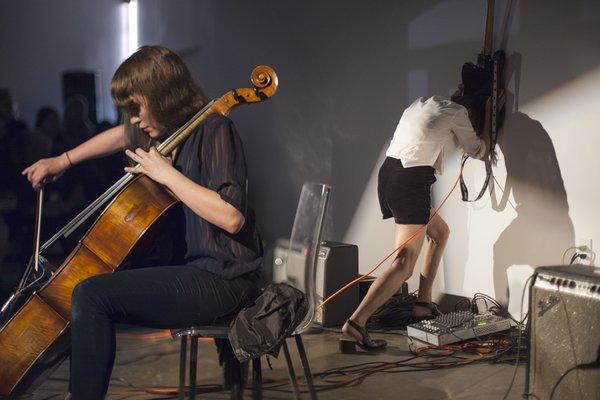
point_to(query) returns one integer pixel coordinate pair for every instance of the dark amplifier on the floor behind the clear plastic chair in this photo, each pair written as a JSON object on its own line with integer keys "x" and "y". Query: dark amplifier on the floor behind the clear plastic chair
{"x": 337, "y": 264}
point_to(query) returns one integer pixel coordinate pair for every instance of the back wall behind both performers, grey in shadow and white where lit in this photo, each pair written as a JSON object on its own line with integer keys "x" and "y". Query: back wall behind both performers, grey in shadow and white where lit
{"x": 347, "y": 70}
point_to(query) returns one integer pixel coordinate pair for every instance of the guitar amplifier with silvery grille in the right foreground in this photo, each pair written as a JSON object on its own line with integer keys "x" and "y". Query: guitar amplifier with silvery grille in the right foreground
{"x": 564, "y": 333}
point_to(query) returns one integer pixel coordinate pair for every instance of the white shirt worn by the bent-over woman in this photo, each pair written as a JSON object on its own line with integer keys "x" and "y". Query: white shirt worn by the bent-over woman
{"x": 428, "y": 126}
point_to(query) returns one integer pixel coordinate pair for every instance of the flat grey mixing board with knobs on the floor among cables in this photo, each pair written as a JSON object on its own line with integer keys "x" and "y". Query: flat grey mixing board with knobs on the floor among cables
{"x": 456, "y": 327}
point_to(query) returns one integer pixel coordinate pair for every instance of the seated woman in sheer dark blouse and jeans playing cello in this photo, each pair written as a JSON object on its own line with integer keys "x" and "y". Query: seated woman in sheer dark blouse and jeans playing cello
{"x": 156, "y": 91}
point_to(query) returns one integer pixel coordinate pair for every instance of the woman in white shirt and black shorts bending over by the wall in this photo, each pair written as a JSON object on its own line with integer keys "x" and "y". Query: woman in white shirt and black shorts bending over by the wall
{"x": 427, "y": 127}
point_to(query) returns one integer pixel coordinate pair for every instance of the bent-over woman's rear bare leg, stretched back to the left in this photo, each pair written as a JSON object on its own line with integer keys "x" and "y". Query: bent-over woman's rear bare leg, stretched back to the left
{"x": 388, "y": 283}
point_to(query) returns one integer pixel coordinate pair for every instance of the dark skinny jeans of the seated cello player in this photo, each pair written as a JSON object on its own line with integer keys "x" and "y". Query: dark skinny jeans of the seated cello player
{"x": 156, "y": 297}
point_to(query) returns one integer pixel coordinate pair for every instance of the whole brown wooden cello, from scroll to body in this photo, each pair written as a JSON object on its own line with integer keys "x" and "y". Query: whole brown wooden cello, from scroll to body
{"x": 35, "y": 339}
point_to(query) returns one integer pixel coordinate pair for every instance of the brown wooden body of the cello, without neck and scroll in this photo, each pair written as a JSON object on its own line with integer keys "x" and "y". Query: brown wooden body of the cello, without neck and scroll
{"x": 36, "y": 339}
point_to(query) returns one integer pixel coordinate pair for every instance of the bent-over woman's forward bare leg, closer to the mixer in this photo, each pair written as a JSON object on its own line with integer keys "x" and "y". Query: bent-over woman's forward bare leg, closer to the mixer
{"x": 437, "y": 234}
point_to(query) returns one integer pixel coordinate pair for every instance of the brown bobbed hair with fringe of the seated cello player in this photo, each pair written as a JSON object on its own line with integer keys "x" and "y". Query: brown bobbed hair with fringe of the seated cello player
{"x": 162, "y": 78}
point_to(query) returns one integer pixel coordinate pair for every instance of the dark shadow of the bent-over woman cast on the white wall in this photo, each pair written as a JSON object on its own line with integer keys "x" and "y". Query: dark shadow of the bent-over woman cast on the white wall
{"x": 542, "y": 229}
